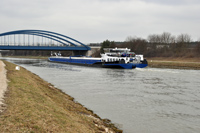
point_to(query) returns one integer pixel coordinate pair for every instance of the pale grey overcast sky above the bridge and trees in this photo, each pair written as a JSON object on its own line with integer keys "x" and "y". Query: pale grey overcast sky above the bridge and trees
{"x": 92, "y": 21}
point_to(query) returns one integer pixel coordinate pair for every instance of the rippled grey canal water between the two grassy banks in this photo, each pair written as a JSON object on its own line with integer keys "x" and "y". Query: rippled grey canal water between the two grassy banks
{"x": 149, "y": 100}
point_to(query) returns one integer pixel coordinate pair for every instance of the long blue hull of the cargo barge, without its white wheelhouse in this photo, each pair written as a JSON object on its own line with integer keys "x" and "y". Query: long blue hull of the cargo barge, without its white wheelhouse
{"x": 96, "y": 63}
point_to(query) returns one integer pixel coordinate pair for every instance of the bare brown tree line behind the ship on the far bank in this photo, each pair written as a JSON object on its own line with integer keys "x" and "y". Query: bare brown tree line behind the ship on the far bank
{"x": 159, "y": 45}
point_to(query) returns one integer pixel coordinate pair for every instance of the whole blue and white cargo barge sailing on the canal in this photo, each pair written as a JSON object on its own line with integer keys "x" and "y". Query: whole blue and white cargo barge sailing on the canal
{"x": 113, "y": 58}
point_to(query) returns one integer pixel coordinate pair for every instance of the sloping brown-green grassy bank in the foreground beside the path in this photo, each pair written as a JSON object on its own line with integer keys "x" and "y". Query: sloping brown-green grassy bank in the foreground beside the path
{"x": 34, "y": 105}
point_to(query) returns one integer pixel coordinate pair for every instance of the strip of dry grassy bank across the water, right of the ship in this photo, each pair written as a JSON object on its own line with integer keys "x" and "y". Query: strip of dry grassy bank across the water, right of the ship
{"x": 175, "y": 63}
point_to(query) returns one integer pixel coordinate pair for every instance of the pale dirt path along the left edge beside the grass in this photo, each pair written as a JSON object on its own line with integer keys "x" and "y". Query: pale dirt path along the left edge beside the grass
{"x": 3, "y": 83}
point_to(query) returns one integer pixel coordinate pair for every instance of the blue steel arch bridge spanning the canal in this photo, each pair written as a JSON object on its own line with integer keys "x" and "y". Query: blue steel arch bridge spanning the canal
{"x": 39, "y": 40}
